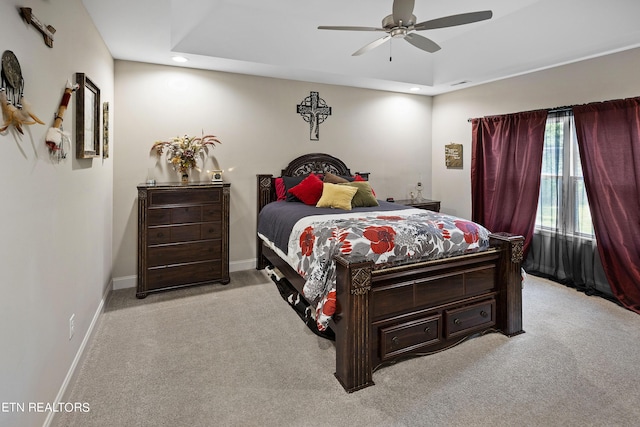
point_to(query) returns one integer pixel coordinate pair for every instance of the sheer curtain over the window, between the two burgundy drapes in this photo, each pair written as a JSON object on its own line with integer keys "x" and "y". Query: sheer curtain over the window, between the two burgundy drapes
{"x": 562, "y": 248}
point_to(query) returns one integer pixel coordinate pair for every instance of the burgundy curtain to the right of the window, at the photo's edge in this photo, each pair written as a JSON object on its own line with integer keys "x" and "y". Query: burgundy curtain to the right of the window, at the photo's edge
{"x": 609, "y": 142}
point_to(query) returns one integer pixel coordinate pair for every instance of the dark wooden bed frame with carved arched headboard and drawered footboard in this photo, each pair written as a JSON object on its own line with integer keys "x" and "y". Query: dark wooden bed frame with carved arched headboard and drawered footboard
{"x": 384, "y": 315}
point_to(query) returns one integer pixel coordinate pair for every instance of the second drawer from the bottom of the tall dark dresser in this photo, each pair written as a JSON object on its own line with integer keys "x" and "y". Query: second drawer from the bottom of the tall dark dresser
{"x": 184, "y": 252}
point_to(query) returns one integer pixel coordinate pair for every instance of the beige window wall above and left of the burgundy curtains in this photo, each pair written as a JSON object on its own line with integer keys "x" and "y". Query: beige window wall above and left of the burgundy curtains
{"x": 610, "y": 77}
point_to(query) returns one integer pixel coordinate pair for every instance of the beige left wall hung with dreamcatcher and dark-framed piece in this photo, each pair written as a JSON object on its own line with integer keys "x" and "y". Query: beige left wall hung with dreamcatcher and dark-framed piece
{"x": 55, "y": 219}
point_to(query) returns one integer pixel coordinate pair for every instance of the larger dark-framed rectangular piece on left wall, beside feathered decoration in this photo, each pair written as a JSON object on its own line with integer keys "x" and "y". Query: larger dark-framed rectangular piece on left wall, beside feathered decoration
{"x": 87, "y": 118}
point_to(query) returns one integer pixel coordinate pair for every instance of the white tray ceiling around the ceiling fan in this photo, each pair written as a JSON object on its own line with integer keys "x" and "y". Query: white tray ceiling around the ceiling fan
{"x": 279, "y": 38}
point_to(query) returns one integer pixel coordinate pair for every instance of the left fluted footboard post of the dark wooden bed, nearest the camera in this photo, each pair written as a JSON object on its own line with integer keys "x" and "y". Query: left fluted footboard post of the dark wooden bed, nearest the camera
{"x": 352, "y": 324}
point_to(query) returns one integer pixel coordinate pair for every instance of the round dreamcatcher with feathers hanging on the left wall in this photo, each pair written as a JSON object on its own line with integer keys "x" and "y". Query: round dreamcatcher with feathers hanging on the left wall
{"x": 16, "y": 110}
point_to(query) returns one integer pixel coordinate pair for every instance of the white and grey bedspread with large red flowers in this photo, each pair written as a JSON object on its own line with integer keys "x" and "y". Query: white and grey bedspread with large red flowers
{"x": 387, "y": 238}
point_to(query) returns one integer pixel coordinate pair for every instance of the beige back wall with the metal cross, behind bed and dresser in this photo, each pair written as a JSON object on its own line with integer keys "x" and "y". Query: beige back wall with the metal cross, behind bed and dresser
{"x": 384, "y": 133}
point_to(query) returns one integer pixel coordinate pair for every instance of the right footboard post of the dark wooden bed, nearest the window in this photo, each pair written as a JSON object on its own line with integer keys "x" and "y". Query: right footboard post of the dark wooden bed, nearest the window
{"x": 509, "y": 298}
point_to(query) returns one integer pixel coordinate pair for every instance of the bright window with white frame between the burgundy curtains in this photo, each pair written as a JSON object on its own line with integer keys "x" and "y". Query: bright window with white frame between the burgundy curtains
{"x": 562, "y": 207}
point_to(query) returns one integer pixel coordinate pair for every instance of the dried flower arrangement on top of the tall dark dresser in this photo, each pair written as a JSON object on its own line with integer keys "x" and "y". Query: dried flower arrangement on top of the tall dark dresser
{"x": 183, "y": 151}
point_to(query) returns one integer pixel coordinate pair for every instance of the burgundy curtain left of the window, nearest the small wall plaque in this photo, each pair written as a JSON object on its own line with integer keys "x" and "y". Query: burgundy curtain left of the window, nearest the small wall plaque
{"x": 506, "y": 163}
